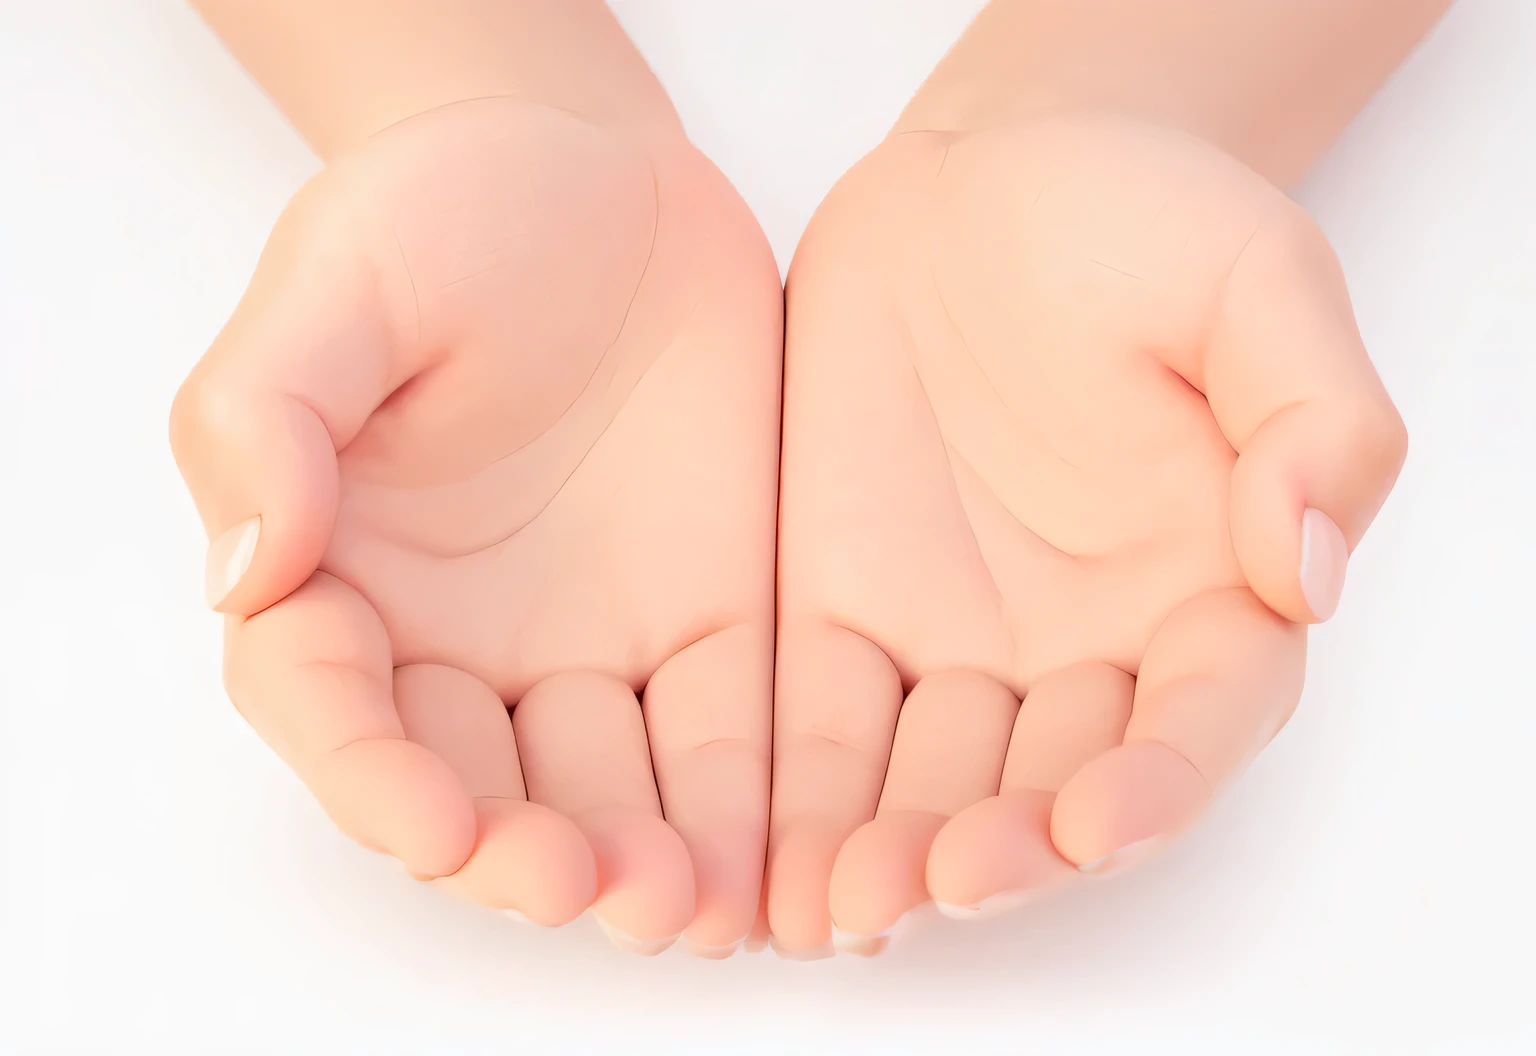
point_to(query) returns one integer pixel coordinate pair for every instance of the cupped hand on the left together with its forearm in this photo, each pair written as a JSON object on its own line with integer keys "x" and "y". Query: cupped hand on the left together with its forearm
{"x": 489, "y": 460}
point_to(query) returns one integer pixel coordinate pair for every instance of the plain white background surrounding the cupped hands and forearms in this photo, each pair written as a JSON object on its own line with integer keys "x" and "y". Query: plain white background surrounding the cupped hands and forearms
{"x": 167, "y": 885}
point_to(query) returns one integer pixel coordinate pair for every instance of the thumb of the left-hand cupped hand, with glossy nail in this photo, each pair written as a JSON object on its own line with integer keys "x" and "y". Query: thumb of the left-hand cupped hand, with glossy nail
{"x": 288, "y": 383}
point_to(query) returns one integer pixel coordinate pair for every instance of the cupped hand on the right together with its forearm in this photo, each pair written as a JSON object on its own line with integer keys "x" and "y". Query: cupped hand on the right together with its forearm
{"x": 1079, "y": 434}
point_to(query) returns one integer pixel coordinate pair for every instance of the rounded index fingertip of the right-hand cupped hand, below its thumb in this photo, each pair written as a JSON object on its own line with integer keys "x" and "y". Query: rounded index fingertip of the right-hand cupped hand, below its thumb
{"x": 1131, "y": 794}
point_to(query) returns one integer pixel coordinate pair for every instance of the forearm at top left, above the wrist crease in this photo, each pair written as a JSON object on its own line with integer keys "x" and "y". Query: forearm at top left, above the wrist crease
{"x": 343, "y": 70}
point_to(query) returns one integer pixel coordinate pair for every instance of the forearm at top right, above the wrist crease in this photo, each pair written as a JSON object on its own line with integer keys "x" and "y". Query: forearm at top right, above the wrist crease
{"x": 1273, "y": 82}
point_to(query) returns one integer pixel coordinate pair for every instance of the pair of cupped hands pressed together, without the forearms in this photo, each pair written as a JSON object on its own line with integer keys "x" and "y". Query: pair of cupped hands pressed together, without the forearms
{"x": 574, "y": 563}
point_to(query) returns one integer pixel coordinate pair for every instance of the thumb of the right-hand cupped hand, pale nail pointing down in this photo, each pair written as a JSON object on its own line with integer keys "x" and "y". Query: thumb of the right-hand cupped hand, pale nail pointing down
{"x": 1319, "y": 440}
